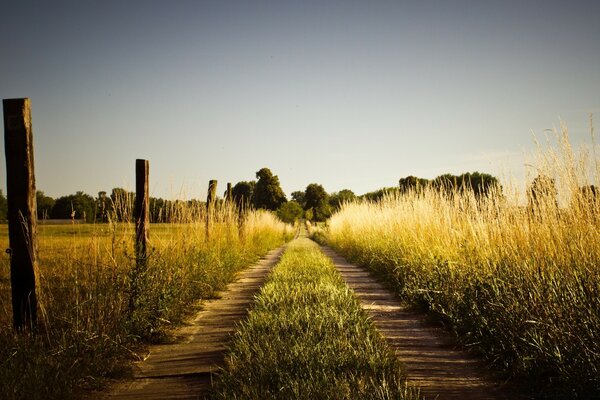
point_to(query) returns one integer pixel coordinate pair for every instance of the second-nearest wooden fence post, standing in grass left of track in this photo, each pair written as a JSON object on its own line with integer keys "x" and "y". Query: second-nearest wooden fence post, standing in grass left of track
{"x": 142, "y": 226}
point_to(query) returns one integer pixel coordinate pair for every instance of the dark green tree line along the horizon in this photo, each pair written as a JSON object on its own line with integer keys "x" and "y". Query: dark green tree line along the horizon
{"x": 313, "y": 203}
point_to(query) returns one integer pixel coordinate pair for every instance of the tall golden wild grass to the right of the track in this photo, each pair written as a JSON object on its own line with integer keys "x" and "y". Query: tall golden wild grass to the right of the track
{"x": 515, "y": 275}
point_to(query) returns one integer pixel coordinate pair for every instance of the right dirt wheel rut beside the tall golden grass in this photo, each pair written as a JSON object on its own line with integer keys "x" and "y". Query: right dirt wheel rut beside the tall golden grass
{"x": 431, "y": 359}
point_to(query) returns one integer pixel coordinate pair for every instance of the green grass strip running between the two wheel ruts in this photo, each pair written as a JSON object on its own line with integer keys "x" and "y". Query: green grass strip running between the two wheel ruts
{"x": 307, "y": 338}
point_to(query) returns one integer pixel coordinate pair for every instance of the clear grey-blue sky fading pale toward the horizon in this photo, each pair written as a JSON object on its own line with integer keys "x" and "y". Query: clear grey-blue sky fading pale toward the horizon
{"x": 351, "y": 95}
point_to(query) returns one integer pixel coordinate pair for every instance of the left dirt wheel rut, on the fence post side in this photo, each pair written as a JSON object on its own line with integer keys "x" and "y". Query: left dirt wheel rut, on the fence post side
{"x": 183, "y": 370}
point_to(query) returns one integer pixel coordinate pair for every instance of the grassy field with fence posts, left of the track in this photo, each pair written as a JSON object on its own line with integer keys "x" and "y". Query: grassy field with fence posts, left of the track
{"x": 90, "y": 327}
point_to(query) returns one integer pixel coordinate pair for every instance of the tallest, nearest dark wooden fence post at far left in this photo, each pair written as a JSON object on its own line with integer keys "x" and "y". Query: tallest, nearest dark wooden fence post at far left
{"x": 22, "y": 211}
